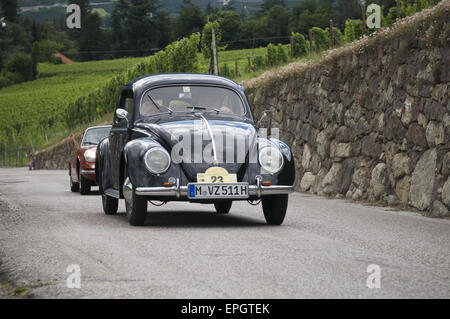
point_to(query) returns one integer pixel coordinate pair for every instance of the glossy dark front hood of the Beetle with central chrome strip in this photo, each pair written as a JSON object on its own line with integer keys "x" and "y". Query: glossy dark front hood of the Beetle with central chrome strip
{"x": 188, "y": 139}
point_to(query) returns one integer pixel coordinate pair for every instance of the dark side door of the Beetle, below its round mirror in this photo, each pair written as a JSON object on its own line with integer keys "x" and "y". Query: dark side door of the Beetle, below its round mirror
{"x": 120, "y": 135}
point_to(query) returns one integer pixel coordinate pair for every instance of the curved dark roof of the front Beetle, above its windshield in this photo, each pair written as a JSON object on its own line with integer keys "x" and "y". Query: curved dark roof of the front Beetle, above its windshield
{"x": 182, "y": 78}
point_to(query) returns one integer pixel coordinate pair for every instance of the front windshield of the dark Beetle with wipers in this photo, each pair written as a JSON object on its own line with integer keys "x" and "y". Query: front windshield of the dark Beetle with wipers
{"x": 184, "y": 98}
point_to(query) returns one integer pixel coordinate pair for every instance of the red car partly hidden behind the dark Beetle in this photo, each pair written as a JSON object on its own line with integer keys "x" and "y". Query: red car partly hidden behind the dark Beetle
{"x": 82, "y": 164}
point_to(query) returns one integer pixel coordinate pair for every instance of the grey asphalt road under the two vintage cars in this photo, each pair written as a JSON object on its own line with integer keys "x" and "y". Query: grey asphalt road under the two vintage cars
{"x": 187, "y": 251}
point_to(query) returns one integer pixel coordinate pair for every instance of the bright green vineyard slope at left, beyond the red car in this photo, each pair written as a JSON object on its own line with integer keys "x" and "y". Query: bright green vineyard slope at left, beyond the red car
{"x": 33, "y": 112}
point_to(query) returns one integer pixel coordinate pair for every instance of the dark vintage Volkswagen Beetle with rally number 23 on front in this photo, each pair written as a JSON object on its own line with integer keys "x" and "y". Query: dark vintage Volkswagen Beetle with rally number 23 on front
{"x": 190, "y": 137}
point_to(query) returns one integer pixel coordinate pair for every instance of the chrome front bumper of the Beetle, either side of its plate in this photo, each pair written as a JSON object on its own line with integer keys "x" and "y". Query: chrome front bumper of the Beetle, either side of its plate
{"x": 178, "y": 191}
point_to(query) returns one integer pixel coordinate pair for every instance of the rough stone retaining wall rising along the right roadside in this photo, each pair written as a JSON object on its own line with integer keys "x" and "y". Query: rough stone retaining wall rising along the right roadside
{"x": 370, "y": 121}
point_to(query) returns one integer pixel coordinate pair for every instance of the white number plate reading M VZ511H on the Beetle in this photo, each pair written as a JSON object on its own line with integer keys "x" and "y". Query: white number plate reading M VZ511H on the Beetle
{"x": 218, "y": 190}
